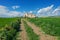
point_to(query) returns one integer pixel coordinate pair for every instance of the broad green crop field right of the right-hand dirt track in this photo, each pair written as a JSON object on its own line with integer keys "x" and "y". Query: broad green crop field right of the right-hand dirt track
{"x": 50, "y": 26}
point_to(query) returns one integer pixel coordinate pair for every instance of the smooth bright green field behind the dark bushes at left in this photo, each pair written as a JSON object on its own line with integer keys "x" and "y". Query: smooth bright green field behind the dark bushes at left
{"x": 4, "y": 21}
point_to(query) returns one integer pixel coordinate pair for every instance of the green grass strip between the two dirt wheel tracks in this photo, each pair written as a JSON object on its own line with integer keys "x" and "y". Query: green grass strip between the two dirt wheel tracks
{"x": 30, "y": 33}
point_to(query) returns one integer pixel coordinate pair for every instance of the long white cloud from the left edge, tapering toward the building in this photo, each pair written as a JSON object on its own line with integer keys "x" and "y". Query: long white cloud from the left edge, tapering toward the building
{"x": 5, "y": 12}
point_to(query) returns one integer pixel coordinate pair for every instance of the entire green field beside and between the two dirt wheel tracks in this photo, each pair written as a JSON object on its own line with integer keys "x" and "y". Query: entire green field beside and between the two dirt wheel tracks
{"x": 9, "y": 27}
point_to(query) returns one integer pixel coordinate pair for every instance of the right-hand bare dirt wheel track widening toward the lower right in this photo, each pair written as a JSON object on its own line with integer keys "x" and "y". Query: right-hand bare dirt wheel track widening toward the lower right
{"x": 39, "y": 32}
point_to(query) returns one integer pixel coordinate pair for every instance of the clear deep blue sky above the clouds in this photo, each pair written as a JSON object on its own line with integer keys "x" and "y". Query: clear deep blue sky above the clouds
{"x": 30, "y": 4}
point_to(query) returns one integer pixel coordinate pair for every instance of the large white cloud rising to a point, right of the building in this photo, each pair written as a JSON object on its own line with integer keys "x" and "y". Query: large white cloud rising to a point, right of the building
{"x": 45, "y": 11}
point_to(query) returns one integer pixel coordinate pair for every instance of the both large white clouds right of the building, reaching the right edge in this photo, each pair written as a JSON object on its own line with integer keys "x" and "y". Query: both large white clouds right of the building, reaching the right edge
{"x": 48, "y": 11}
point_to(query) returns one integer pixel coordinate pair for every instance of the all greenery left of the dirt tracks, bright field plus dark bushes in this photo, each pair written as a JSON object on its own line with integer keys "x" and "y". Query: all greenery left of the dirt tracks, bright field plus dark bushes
{"x": 9, "y": 27}
